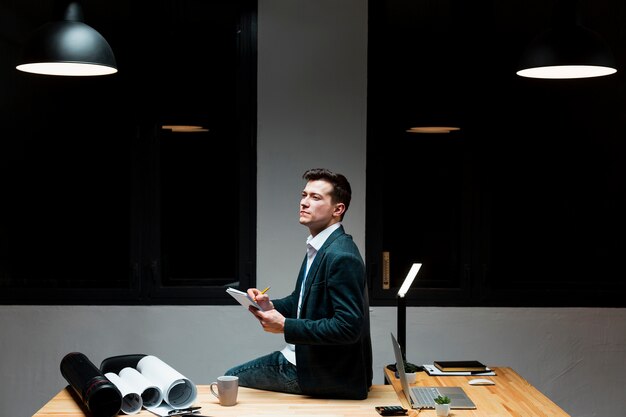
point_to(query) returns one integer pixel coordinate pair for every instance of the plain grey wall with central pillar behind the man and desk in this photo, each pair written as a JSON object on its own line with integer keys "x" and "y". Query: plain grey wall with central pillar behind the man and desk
{"x": 312, "y": 113}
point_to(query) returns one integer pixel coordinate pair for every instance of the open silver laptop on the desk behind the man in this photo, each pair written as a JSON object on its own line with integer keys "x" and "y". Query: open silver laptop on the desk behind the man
{"x": 423, "y": 397}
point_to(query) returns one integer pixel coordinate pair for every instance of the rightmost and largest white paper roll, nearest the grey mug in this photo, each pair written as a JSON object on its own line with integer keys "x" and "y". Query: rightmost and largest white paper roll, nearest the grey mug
{"x": 179, "y": 392}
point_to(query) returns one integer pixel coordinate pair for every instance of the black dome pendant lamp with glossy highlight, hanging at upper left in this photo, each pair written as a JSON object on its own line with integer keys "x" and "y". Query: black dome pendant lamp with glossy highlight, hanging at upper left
{"x": 68, "y": 47}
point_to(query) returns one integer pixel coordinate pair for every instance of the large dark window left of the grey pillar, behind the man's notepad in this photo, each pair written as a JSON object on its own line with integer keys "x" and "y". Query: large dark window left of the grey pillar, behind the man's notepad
{"x": 101, "y": 204}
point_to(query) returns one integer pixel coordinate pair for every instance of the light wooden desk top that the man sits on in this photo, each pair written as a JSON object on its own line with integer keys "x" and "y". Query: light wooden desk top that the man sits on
{"x": 512, "y": 396}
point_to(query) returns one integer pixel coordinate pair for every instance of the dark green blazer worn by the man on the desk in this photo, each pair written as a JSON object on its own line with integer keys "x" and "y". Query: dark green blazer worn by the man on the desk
{"x": 332, "y": 335}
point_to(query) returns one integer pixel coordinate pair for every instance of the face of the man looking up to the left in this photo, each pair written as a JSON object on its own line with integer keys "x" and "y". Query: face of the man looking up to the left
{"x": 317, "y": 211}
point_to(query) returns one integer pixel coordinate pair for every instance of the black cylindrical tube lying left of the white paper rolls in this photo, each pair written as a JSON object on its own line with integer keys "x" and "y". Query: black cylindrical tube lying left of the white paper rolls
{"x": 100, "y": 395}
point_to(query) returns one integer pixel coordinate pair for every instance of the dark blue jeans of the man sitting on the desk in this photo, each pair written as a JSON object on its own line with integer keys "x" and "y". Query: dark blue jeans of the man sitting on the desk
{"x": 271, "y": 372}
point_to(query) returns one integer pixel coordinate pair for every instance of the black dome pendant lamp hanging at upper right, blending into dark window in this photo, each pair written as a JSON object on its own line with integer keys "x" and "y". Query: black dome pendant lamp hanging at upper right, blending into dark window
{"x": 567, "y": 50}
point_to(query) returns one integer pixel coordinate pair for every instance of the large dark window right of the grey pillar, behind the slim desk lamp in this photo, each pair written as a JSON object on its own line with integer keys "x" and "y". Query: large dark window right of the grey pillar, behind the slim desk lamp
{"x": 522, "y": 207}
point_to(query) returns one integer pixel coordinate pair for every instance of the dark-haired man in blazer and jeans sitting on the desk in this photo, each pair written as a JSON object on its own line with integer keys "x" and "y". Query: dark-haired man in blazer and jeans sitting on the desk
{"x": 325, "y": 320}
